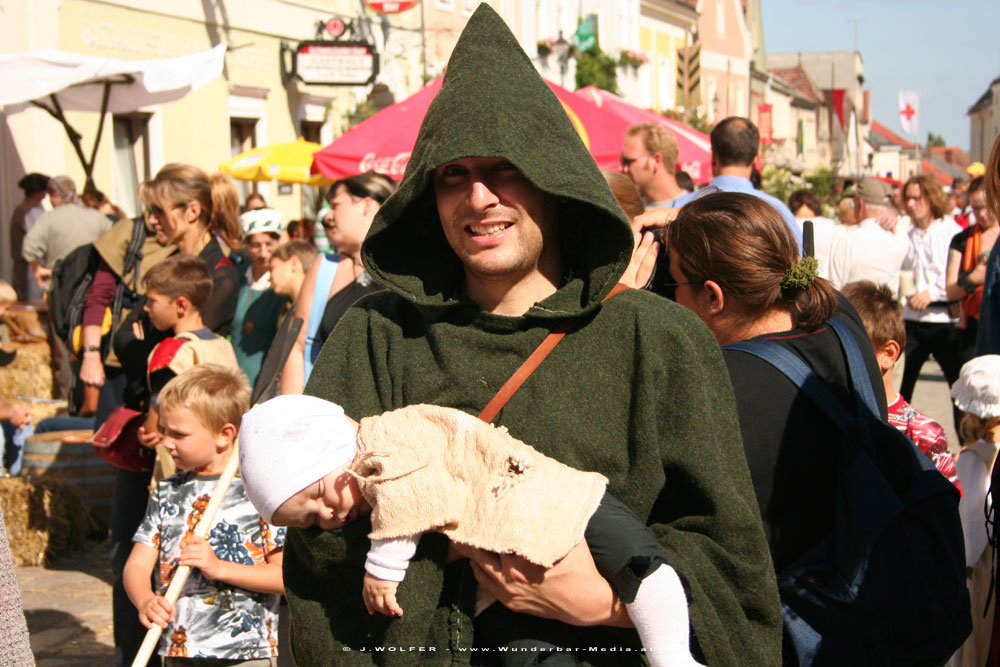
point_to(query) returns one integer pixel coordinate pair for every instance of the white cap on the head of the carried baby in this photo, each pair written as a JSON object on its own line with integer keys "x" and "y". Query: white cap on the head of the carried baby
{"x": 288, "y": 443}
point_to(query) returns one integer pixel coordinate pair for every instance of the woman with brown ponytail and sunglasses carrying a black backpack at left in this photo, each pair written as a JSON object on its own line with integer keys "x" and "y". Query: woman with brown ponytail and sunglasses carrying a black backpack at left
{"x": 186, "y": 211}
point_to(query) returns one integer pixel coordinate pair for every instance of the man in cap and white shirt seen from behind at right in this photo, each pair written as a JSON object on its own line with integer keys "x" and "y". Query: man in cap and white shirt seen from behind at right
{"x": 864, "y": 250}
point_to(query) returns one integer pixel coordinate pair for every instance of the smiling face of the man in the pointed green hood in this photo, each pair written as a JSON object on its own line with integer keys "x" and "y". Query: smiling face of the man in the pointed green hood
{"x": 500, "y": 225}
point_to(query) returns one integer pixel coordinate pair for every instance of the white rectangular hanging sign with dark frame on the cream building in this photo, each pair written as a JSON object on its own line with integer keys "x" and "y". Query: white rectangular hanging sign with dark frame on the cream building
{"x": 336, "y": 63}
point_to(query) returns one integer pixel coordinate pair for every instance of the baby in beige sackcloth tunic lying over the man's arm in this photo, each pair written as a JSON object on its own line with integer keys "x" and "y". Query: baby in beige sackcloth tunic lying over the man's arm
{"x": 427, "y": 468}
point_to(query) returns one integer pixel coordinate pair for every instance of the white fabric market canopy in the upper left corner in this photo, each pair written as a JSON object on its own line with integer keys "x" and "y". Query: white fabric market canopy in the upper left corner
{"x": 58, "y": 81}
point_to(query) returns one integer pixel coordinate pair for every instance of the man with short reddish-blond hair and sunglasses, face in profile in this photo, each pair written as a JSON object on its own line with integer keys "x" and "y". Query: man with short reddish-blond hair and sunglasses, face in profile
{"x": 649, "y": 158}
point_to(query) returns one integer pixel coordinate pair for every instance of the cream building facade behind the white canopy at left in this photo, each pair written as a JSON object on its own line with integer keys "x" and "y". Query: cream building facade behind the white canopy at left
{"x": 255, "y": 102}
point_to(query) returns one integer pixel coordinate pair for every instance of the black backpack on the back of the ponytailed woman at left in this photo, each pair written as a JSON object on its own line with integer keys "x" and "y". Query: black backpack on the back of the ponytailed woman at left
{"x": 73, "y": 275}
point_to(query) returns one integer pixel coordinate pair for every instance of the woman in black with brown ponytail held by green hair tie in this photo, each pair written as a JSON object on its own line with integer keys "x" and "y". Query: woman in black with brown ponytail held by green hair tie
{"x": 736, "y": 265}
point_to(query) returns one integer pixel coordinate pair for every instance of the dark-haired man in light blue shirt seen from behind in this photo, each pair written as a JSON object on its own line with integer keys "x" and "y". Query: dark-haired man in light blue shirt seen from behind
{"x": 735, "y": 148}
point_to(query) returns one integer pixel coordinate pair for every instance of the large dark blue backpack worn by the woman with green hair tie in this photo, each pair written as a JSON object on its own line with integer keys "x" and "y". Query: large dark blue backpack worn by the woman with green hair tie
{"x": 887, "y": 585}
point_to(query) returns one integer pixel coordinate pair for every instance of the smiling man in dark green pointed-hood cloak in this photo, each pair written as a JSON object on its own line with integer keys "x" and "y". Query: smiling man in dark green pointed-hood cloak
{"x": 494, "y": 237}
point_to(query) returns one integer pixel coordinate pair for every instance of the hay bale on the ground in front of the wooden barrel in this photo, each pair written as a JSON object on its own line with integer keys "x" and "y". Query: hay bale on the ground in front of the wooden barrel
{"x": 45, "y": 519}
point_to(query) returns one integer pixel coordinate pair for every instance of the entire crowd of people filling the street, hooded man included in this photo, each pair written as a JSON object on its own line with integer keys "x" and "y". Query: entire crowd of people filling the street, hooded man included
{"x": 648, "y": 478}
